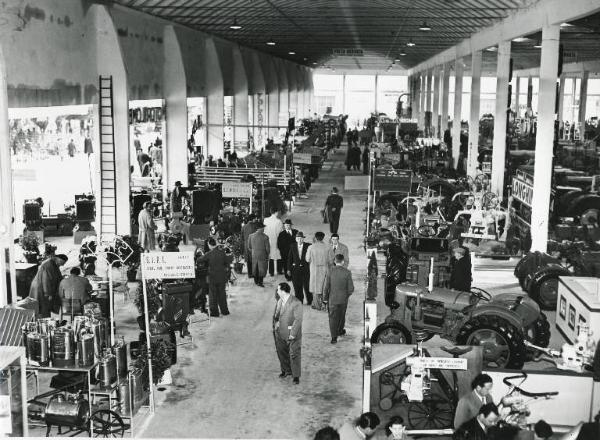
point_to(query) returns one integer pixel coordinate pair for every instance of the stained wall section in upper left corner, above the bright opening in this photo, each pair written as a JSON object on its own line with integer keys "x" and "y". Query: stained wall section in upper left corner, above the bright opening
{"x": 50, "y": 48}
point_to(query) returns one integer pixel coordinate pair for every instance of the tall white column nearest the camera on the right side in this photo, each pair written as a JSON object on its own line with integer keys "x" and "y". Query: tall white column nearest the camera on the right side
{"x": 545, "y": 137}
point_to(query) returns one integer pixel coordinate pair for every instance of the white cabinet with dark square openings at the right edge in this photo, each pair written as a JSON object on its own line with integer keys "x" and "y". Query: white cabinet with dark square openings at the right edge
{"x": 578, "y": 303}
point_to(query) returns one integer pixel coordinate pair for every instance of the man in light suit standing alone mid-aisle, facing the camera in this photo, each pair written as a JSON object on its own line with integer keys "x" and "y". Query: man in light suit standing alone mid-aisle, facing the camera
{"x": 287, "y": 331}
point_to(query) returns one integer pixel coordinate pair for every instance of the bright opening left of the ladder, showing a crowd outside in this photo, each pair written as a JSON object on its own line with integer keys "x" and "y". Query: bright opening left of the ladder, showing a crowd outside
{"x": 47, "y": 143}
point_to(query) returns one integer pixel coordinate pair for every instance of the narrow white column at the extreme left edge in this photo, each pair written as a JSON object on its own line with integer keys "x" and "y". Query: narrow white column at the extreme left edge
{"x": 7, "y": 227}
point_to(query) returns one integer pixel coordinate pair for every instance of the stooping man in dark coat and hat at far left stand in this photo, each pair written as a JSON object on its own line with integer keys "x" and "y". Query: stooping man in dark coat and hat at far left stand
{"x": 44, "y": 287}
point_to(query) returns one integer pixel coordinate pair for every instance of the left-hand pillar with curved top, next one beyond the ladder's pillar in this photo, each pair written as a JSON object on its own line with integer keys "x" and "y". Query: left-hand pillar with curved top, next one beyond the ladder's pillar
{"x": 175, "y": 87}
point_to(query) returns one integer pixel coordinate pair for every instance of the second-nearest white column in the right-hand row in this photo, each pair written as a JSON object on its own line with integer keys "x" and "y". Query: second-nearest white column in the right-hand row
{"x": 499, "y": 145}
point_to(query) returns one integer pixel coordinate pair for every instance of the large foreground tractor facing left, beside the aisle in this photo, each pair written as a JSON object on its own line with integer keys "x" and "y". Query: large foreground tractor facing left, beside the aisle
{"x": 500, "y": 325}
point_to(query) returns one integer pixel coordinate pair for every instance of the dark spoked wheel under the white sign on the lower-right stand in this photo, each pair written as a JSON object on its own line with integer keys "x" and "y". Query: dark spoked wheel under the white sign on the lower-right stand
{"x": 433, "y": 413}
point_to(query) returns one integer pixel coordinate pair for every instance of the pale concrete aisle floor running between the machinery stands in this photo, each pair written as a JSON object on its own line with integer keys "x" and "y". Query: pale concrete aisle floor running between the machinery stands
{"x": 226, "y": 384}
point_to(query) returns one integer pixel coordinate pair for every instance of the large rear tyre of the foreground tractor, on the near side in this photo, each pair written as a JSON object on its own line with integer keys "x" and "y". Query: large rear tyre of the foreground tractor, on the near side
{"x": 495, "y": 330}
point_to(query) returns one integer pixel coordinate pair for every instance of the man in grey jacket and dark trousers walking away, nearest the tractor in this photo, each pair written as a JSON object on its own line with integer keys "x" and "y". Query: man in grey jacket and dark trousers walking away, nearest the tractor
{"x": 338, "y": 288}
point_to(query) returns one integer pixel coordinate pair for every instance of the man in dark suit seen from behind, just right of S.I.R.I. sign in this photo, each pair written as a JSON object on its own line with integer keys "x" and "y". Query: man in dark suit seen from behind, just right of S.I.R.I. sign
{"x": 218, "y": 265}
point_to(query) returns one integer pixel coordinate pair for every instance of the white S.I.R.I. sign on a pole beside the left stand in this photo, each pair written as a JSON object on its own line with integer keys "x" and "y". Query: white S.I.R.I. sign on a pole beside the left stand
{"x": 161, "y": 265}
